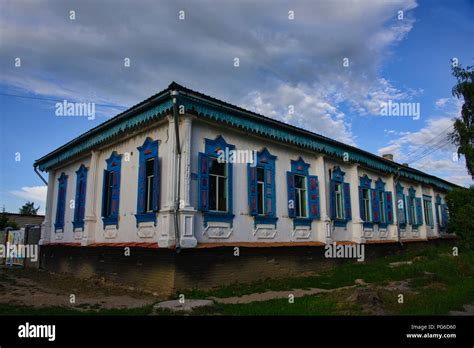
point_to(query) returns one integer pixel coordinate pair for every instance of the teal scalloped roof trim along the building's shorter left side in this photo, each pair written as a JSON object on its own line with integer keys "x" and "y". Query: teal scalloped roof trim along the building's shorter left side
{"x": 107, "y": 134}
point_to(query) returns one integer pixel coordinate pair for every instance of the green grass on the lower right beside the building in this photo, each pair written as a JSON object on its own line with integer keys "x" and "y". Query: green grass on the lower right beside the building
{"x": 439, "y": 282}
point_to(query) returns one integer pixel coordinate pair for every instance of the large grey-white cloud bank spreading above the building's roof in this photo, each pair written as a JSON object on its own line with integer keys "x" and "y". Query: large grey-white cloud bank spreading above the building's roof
{"x": 83, "y": 59}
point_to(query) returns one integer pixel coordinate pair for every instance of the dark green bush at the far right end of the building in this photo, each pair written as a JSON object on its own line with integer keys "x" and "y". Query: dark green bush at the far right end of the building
{"x": 461, "y": 213}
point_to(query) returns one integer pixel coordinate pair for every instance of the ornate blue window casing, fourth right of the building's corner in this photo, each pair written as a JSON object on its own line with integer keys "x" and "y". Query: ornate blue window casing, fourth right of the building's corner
{"x": 339, "y": 198}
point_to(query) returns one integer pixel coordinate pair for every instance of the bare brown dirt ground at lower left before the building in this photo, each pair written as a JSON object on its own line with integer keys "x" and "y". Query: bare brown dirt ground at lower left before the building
{"x": 37, "y": 288}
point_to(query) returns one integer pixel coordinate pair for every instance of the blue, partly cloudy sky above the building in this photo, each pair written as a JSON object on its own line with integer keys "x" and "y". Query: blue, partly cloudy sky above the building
{"x": 327, "y": 66}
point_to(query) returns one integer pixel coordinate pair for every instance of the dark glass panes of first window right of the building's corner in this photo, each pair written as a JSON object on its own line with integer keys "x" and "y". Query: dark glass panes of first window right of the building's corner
{"x": 217, "y": 186}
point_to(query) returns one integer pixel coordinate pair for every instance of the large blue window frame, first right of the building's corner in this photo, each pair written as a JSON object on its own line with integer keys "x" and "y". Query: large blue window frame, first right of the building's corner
{"x": 215, "y": 182}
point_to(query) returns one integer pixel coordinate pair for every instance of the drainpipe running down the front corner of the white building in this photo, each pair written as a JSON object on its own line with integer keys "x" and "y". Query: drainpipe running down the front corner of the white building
{"x": 174, "y": 95}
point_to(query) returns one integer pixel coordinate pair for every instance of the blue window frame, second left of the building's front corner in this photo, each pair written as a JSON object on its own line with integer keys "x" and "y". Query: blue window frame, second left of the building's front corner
{"x": 111, "y": 190}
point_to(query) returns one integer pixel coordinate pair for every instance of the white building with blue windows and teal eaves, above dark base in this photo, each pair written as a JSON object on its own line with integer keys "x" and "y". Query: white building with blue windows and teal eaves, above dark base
{"x": 151, "y": 176}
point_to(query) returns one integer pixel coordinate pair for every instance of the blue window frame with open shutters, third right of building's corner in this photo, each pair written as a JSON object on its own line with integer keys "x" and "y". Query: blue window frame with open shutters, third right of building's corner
{"x": 303, "y": 194}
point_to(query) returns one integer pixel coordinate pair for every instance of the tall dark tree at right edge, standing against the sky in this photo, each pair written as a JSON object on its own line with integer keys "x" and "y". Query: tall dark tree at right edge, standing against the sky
{"x": 463, "y": 133}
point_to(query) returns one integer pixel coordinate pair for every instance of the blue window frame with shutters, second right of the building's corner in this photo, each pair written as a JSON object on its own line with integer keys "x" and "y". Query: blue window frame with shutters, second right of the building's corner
{"x": 261, "y": 188}
